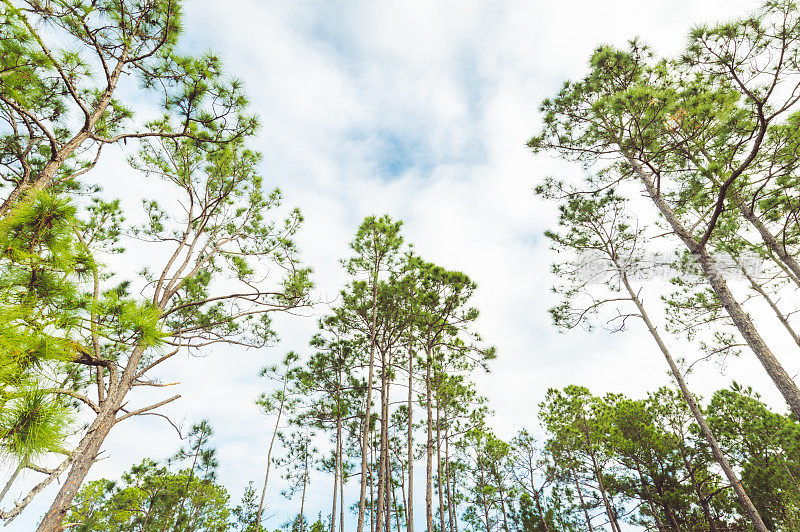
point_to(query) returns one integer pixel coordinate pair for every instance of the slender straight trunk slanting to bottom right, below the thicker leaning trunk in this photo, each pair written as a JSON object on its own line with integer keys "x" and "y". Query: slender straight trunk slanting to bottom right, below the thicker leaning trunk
{"x": 720, "y": 457}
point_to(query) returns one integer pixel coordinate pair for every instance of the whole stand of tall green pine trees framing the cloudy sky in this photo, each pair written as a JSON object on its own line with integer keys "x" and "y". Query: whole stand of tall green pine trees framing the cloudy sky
{"x": 690, "y": 167}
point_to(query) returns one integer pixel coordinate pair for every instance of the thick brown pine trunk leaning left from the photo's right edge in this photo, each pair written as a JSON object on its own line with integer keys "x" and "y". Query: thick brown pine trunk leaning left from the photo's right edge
{"x": 775, "y": 370}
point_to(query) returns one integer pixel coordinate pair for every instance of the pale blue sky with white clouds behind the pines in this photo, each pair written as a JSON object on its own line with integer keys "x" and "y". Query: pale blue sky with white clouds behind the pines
{"x": 420, "y": 110}
